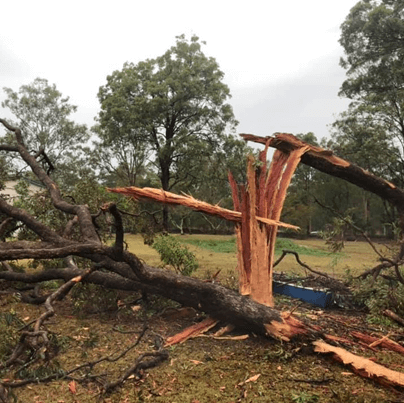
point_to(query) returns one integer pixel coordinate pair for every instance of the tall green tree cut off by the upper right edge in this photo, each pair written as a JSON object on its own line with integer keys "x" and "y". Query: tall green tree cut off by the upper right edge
{"x": 372, "y": 37}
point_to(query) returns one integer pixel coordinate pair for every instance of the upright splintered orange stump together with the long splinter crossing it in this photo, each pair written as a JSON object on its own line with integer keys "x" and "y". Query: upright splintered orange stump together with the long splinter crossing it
{"x": 258, "y": 206}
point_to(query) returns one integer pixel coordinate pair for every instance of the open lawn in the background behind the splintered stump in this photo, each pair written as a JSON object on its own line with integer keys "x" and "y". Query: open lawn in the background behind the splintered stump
{"x": 216, "y": 252}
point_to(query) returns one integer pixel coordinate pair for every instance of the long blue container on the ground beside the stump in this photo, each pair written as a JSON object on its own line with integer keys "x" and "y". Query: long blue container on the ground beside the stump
{"x": 320, "y": 298}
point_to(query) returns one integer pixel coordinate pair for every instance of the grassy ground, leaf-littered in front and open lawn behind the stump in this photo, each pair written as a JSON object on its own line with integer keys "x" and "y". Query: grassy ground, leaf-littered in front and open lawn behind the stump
{"x": 204, "y": 369}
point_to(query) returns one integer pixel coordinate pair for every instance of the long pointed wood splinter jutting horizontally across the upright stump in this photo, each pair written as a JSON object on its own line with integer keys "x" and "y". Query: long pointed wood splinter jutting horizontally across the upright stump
{"x": 162, "y": 196}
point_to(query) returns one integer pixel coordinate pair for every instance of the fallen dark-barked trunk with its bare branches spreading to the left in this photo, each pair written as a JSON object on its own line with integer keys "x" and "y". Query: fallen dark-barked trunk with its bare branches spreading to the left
{"x": 125, "y": 270}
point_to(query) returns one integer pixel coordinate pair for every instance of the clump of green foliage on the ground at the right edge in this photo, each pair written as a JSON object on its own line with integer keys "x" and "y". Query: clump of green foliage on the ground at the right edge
{"x": 379, "y": 295}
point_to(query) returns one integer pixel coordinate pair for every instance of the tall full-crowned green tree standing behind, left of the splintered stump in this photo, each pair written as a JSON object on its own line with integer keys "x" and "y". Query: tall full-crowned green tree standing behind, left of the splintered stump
{"x": 176, "y": 103}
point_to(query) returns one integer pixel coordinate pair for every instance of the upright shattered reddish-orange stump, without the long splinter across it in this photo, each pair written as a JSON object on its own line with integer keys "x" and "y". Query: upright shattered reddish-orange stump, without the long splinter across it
{"x": 263, "y": 196}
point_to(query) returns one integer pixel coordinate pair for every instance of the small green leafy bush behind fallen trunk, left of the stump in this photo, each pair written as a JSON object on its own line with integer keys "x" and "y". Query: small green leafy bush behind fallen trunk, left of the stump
{"x": 176, "y": 255}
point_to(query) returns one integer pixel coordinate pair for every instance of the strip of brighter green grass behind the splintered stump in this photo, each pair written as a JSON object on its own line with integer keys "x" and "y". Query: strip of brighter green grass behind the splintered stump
{"x": 229, "y": 246}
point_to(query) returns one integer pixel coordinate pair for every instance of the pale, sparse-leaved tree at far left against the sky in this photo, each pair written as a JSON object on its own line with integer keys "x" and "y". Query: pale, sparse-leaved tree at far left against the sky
{"x": 43, "y": 114}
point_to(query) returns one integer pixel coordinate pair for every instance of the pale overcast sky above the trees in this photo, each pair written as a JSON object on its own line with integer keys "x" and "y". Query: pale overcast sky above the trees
{"x": 280, "y": 58}
